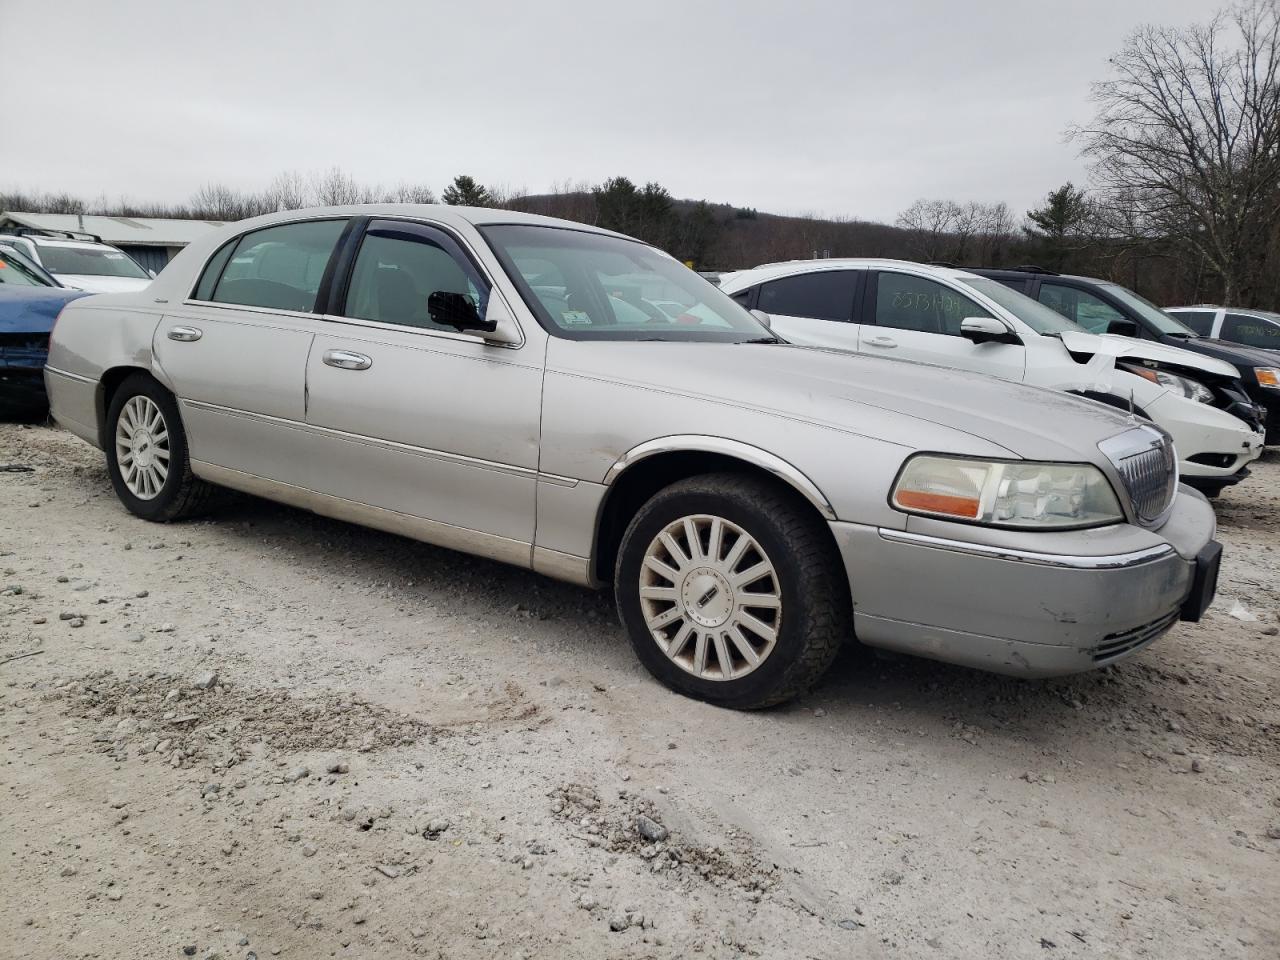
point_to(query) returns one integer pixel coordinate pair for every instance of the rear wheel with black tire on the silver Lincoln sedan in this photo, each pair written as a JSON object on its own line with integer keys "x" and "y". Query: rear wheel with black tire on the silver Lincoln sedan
{"x": 147, "y": 454}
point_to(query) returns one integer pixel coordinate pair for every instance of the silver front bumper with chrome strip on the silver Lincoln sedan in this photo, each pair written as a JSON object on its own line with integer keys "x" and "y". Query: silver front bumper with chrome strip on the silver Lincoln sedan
{"x": 1028, "y": 605}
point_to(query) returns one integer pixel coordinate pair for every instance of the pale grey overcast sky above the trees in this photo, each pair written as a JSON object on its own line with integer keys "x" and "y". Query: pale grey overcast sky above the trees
{"x": 790, "y": 107}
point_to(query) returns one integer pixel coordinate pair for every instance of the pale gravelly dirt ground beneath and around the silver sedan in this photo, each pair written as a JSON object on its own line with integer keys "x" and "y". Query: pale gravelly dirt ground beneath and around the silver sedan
{"x": 268, "y": 734}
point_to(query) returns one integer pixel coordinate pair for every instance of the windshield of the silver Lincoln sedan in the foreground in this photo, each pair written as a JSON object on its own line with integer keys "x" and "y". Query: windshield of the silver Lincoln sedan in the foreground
{"x": 589, "y": 287}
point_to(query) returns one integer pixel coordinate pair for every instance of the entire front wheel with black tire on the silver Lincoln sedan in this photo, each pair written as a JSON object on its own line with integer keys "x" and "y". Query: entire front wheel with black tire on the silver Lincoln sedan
{"x": 732, "y": 591}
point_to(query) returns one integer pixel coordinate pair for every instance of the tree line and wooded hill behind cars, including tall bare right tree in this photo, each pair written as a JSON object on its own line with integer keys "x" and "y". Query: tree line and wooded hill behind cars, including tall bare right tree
{"x": 1183, "y": 203}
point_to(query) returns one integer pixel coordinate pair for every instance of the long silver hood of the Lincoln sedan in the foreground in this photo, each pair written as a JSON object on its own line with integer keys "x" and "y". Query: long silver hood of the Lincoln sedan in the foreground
{"x": 868, "y": 396}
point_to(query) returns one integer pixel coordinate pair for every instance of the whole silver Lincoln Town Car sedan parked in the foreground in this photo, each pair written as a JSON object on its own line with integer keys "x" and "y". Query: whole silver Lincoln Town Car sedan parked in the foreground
{"x": 573, "y": 401}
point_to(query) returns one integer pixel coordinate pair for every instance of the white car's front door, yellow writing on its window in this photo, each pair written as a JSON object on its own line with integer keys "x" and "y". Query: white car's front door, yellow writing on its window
{"x": 917, "y": 318}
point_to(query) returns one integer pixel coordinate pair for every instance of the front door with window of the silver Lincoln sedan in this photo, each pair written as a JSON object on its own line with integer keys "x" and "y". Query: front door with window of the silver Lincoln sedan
{"x": 413, "y": 418}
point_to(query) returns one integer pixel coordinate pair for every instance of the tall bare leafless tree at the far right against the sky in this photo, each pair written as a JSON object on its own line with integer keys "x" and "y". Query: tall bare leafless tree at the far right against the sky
{"x": 1187, "y": 138}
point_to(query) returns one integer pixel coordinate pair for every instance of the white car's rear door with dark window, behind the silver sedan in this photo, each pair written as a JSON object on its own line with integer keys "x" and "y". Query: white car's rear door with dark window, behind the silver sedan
{"x": 815, "y": 309}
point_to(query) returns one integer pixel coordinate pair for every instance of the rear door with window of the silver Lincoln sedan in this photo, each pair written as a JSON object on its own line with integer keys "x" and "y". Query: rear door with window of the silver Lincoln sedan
{"x": 236, "y": 351}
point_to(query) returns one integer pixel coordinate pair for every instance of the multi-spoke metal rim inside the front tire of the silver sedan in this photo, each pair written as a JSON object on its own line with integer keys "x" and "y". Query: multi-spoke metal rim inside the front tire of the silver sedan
{"x": 711, "y": 598}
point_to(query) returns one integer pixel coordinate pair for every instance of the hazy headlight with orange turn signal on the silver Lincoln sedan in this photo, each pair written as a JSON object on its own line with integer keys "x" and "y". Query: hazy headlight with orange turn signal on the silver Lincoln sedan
{"x": 1018, "y": 495}
